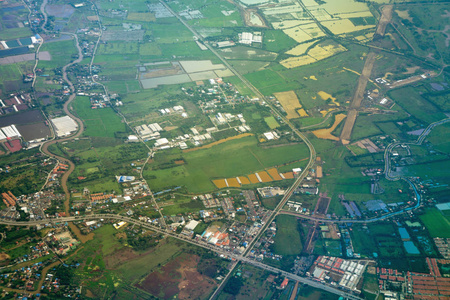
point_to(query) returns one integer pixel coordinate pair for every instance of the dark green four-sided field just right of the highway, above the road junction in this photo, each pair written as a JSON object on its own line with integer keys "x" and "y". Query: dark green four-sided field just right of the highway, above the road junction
{"x": 287, "y": 238}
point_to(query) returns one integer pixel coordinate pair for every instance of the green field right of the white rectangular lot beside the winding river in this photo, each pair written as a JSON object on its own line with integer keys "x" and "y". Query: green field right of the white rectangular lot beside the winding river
{"x": 98, "y": 122}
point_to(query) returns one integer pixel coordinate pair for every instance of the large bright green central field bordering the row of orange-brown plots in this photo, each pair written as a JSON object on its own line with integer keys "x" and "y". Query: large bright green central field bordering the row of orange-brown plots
{"x": 230, "y": 159}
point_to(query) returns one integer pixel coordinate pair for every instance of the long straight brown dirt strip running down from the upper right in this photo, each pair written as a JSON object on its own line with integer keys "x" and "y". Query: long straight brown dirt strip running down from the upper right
{"x": 364, "y": 78}
